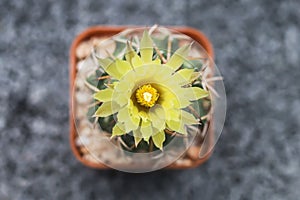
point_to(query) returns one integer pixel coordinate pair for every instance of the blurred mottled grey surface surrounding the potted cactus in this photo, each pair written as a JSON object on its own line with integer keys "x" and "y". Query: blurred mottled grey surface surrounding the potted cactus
{"x": 257, "y": 46}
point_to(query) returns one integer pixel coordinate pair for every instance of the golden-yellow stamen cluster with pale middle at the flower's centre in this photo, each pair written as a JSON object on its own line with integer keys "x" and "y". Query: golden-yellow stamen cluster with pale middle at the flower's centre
{"x": 146, "y": 95}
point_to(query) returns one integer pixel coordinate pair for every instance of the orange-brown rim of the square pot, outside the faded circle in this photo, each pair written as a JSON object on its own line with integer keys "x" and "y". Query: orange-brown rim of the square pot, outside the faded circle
{"x": 106, "y": 31}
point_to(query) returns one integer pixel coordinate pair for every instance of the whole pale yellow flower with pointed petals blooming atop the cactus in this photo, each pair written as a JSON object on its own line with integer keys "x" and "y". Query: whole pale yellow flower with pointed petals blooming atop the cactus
{"x": 148, "y": 96}
